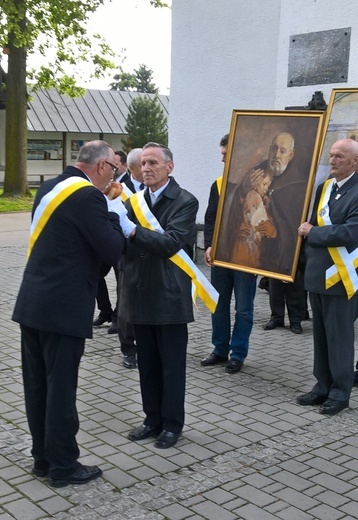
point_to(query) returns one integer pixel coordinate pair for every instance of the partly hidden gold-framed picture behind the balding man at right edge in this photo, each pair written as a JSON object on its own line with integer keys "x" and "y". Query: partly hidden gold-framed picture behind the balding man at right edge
{"x": 340, "y": 123}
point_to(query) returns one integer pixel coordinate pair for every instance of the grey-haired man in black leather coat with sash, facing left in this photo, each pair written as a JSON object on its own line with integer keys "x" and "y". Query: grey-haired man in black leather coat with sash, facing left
{"x": 156, "y": 293}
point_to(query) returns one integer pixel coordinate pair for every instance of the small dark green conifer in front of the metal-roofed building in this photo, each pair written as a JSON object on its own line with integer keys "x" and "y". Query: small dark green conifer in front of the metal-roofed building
{"x": 146, "y": 121}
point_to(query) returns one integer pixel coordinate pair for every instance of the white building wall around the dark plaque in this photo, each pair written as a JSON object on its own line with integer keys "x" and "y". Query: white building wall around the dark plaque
{"x": 233, "y": 54}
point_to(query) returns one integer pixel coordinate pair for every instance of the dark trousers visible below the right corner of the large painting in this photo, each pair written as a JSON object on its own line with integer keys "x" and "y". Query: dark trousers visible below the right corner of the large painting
{"x": 291, "y": 294}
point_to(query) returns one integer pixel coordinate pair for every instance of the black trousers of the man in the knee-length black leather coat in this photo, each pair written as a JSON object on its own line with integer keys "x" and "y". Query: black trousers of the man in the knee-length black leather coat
{"x": 162, "y": 372}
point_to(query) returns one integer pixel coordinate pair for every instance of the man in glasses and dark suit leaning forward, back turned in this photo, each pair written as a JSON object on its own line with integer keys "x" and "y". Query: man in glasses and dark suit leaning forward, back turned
{"x": 71, "y": 232}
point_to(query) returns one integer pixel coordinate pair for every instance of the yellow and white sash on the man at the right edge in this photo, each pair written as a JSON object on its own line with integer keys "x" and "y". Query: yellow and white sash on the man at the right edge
{"x": 345, "y": 264}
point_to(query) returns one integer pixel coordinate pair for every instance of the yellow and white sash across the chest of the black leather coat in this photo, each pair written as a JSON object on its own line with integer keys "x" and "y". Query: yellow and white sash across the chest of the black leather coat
{"x": 201, "y": 286}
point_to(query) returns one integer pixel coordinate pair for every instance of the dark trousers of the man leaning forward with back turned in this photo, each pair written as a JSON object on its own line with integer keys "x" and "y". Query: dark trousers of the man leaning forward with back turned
{"x": 50, "y": 364}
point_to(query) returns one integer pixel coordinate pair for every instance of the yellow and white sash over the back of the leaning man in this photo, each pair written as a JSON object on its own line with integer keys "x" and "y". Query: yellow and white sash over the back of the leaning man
{"x": 49, "y": 203}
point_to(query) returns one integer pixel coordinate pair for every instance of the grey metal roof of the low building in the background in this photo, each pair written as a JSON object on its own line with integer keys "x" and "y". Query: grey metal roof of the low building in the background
{"x": 98, "y": 111}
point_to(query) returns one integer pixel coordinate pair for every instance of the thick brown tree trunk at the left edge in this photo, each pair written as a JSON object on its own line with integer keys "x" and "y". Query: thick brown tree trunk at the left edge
{"x": 15, "y": 181}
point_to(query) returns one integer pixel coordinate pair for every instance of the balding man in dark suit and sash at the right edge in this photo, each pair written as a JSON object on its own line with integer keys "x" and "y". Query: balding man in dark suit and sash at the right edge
{"x": 331, "y": 241}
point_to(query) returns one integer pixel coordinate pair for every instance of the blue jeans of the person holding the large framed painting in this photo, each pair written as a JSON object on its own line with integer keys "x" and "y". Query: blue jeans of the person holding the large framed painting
{"x": 226, "y": 281}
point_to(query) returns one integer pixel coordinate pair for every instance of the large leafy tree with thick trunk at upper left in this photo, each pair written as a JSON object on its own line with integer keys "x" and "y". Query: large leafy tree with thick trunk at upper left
{"x": 35, "y": 27}
